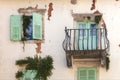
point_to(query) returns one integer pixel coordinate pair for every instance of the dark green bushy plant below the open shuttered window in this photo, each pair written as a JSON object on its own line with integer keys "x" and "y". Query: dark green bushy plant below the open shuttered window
{"x": 42, "y": 67}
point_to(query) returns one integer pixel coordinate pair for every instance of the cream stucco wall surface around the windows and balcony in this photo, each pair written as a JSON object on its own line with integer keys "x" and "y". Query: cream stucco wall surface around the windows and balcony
{"x": 54, "y": 35}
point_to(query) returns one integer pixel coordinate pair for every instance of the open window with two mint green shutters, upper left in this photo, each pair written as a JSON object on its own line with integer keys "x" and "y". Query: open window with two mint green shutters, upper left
{"x": 25, "y": 28}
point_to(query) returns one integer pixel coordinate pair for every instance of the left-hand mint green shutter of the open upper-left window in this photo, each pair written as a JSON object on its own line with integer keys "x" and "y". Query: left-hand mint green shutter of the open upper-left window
{"x": 15, "y": 27}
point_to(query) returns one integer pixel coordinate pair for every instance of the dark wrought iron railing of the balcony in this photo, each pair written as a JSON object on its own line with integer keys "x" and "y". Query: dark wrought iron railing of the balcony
{"x": 85, "y": 39}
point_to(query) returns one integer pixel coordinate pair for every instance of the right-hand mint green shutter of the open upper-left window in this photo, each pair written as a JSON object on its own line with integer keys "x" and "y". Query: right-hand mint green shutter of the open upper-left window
{"x": 37, "y": 26}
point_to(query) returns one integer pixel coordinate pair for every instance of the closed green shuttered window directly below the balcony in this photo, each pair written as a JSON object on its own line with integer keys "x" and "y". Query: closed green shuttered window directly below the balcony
{"x": 87, "y": 74}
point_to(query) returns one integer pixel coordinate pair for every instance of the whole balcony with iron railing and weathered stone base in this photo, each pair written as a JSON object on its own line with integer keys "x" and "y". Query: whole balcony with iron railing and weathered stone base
{"x": 85, "y": 44}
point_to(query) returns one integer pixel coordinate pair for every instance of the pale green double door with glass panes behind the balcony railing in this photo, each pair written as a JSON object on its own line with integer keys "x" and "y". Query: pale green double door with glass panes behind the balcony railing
{"x": 87, "y": 35}
